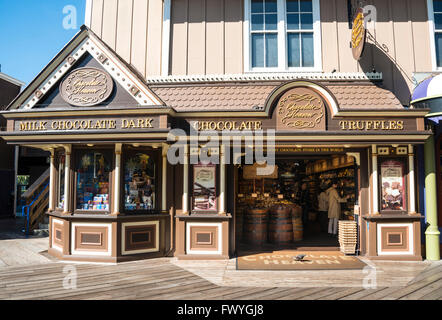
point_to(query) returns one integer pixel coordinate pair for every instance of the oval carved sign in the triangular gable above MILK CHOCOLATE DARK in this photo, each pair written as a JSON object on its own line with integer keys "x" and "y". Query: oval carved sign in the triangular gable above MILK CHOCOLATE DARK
{"x": 86, "y": 87}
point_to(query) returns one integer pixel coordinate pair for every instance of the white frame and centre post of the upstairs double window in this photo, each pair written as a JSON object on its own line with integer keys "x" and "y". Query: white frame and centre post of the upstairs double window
{"x": 282, "y": 40}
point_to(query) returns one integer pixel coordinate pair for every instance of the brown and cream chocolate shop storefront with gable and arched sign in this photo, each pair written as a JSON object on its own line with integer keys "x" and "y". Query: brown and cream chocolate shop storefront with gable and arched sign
{"x": 115, "y": 196}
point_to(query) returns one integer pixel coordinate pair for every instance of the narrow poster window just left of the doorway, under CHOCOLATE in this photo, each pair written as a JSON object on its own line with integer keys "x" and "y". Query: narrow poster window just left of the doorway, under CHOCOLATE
{"x": 204, "y": 190}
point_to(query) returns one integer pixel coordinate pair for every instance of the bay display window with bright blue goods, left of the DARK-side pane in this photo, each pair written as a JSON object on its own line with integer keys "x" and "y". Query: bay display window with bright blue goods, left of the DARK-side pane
{"x": 93, "y": 181}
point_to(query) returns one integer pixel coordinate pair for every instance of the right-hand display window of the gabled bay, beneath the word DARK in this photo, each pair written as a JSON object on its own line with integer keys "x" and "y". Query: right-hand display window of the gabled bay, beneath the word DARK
{"x": 139, "y": 183}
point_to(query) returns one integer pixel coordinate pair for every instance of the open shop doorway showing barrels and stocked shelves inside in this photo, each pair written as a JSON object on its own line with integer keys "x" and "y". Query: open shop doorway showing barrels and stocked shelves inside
{"x": 282, "y": 210}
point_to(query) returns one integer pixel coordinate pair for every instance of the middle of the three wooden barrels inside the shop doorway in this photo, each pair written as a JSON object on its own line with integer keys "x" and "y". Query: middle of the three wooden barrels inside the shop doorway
{"x": 280, "y": 225}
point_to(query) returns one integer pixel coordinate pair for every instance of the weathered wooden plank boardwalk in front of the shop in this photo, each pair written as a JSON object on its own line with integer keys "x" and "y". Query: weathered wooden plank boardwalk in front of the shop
{"x": 159, "y": 279}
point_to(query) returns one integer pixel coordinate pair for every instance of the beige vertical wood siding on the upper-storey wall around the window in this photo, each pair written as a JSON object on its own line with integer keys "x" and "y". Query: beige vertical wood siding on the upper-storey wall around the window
{"x": 207, "y": 37}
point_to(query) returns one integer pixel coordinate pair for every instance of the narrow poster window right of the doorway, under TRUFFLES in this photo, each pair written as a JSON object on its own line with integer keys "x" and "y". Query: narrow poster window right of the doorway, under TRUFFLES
{"x": 392, "y": 185}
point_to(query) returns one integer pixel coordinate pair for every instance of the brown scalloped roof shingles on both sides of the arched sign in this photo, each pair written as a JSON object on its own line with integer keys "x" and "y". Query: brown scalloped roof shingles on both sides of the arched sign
{"x": 246, "y": 97}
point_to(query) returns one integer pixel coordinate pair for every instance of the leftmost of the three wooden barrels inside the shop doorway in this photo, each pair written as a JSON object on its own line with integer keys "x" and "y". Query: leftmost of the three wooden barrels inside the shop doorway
{"x": 255, "y": 226}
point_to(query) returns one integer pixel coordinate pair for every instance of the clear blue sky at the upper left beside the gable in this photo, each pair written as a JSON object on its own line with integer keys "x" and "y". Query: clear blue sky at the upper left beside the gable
{"x": 32, "y": 33}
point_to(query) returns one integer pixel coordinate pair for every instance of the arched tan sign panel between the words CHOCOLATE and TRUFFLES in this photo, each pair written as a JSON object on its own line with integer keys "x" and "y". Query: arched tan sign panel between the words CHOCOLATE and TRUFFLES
{"x": 301, "y": 109}
